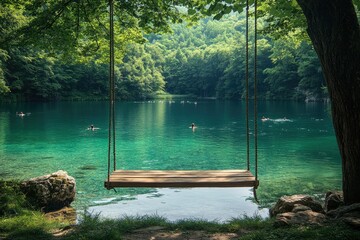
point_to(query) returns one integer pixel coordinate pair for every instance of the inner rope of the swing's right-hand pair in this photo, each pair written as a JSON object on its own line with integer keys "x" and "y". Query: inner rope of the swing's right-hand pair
{"x": 247, "y": 87}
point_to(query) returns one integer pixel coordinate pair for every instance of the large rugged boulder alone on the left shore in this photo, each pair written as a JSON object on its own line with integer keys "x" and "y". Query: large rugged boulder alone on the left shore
{"x": 50, "y": 192}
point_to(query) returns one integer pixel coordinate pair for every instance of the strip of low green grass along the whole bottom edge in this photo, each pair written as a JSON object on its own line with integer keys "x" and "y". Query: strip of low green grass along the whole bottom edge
{"x": 35, "y": 226}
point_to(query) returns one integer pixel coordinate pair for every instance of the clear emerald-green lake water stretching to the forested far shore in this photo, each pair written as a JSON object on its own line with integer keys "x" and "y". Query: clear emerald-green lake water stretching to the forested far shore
{"x": 295, "y": 156}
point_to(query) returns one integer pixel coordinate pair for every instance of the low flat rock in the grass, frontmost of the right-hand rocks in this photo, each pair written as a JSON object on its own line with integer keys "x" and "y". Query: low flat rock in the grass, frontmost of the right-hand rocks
{"x": 307, "y": 217}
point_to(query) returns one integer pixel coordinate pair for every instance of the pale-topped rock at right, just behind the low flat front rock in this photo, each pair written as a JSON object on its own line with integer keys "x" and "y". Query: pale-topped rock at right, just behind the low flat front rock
{"x": 288, "y": 203}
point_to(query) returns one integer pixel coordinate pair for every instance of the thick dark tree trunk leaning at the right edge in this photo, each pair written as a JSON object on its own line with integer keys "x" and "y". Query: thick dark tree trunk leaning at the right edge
{"x": 334, "y": 31}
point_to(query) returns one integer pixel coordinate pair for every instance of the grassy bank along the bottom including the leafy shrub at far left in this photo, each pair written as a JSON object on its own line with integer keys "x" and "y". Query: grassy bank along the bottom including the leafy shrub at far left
{"x": 18, "y": 221}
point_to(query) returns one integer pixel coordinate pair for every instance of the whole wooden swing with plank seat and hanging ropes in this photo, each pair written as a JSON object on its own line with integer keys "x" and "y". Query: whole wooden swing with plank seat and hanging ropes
{"x": 183, "y": 178}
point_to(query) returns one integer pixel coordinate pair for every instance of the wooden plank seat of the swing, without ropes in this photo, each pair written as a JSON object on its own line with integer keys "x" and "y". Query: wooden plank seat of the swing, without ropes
{"x": 181, "y": 178}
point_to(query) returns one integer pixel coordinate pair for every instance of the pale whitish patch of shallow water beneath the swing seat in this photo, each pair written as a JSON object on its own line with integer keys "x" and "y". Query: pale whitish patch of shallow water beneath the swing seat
{"x": 212, "y": 204}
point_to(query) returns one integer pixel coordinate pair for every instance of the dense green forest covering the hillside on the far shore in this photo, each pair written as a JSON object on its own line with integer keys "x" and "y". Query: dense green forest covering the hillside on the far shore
{"x": 204, "y": 60}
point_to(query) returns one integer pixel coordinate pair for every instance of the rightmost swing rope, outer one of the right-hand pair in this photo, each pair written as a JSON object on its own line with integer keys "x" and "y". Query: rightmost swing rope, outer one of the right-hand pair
{"x": 255, "y": 92}
